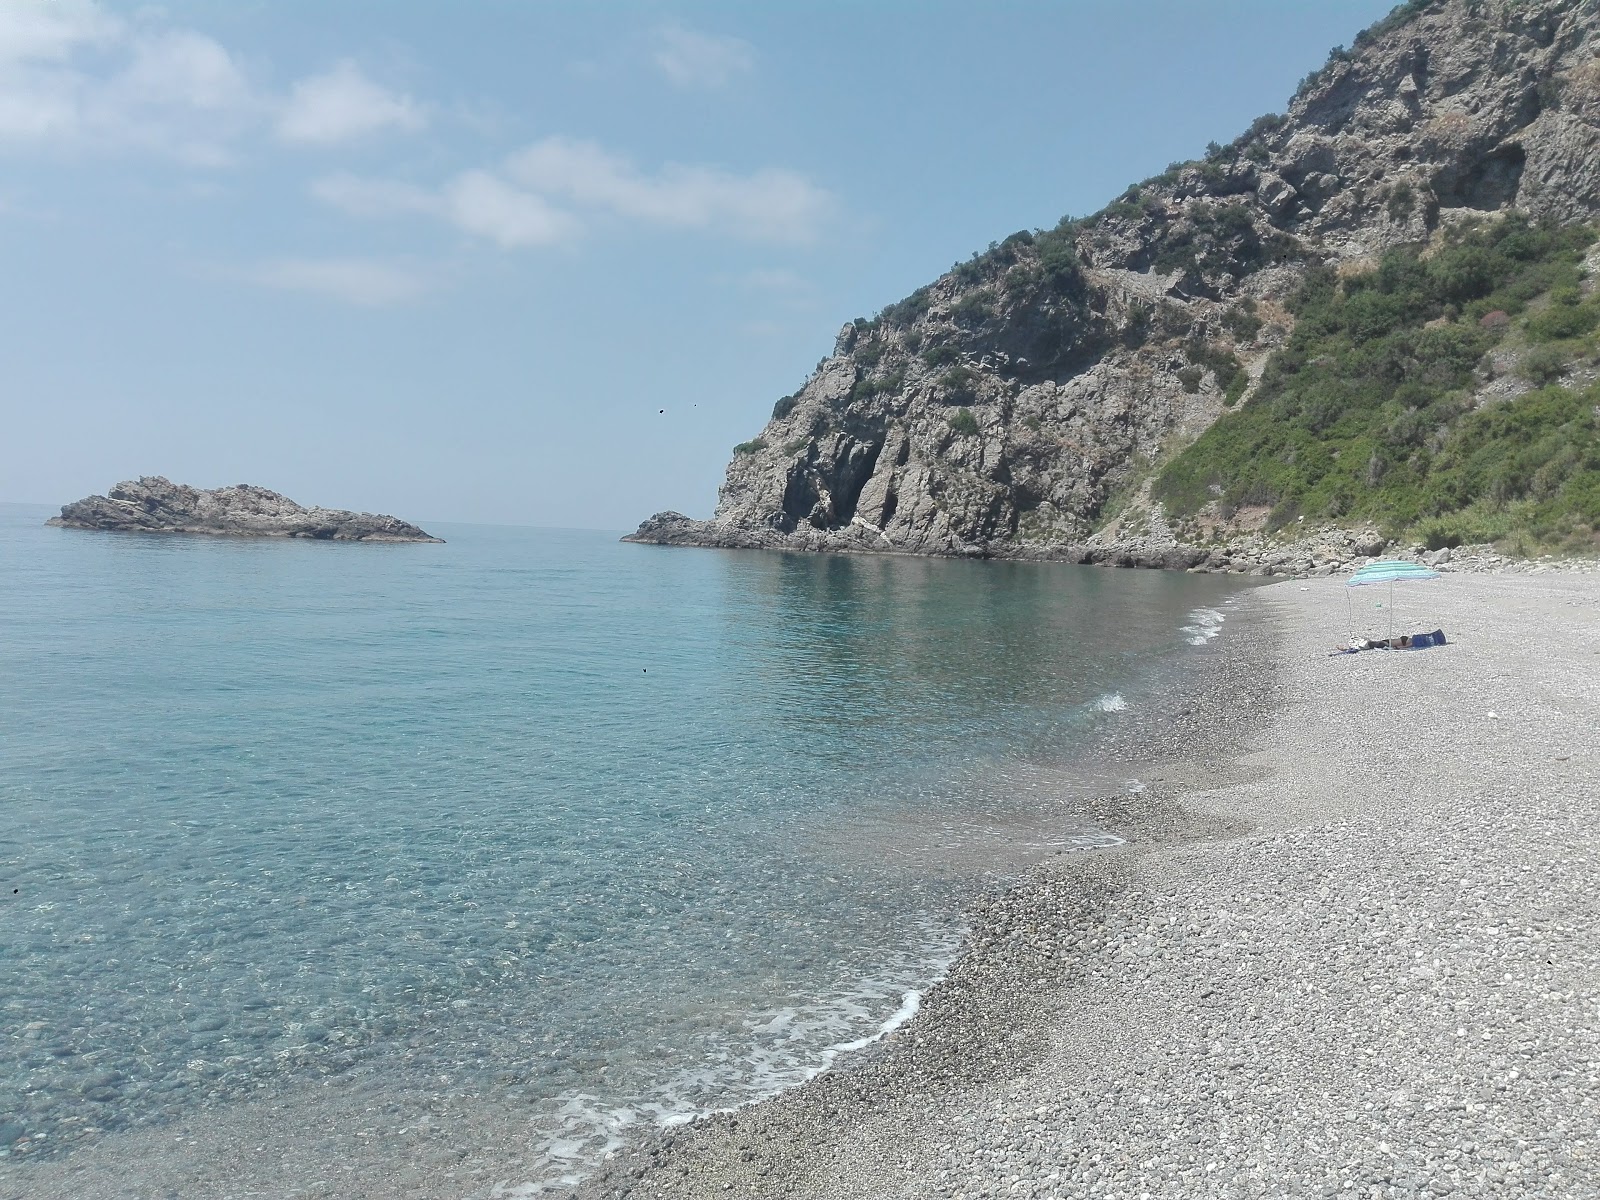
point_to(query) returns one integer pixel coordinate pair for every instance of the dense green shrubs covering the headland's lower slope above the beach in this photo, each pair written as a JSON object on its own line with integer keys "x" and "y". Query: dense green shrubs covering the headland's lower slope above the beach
{"x": 1367, "y": 414}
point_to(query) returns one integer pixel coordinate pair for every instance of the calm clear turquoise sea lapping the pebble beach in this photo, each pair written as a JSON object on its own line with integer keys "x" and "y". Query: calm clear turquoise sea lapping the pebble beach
{"x": 593, "y": 833}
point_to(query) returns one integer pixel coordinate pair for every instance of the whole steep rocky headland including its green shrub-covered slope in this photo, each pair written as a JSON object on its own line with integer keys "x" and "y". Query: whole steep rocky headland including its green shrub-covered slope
{"x": 1364, "y": 322}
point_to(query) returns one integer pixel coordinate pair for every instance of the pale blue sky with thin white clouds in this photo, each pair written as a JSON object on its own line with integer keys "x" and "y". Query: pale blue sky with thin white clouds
{"x": 454, "y": 262}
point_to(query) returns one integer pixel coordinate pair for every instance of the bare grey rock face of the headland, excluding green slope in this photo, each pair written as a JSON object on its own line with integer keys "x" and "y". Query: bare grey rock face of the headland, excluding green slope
{"x": 1020, "y": 404}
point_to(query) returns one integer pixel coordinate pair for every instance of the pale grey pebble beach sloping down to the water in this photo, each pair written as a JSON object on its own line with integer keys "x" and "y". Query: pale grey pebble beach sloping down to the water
{"x": 1386, "y": 986}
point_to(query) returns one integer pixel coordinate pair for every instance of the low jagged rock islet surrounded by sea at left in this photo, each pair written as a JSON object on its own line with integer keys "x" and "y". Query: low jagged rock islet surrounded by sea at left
{"x": 154, "y": 505}
